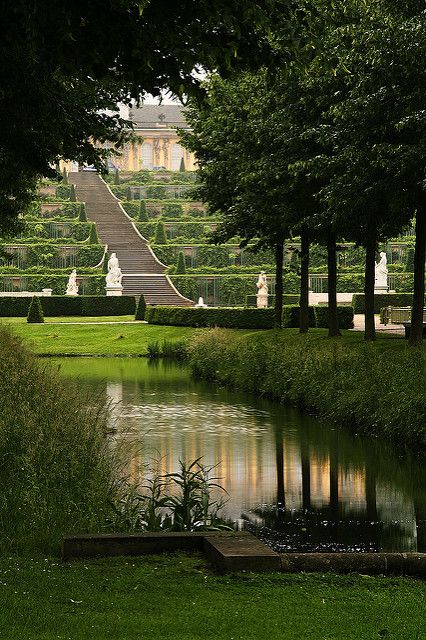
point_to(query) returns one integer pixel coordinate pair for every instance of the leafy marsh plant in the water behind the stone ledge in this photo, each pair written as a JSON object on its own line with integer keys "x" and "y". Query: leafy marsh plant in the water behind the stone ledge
{"x": 181, "y": 501}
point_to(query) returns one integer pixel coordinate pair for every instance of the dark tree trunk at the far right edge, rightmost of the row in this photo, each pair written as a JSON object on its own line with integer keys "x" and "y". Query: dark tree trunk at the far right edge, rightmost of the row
{"x": 416, "y": 332}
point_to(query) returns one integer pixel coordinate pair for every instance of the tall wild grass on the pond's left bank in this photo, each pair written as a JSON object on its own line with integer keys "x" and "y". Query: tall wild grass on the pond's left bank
{"x": 57, "y": 474}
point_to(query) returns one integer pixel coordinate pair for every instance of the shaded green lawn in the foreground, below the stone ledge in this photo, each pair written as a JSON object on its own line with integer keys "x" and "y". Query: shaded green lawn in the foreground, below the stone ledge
{"x": 178, "y": 598}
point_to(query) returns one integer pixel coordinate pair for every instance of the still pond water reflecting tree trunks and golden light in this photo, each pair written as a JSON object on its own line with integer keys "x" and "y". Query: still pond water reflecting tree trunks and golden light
{"x": 299, "y": 483}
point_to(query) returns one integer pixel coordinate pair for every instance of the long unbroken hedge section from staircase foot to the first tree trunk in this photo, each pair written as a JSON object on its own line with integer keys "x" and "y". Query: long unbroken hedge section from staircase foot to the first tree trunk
{"x": 236, "y": 318}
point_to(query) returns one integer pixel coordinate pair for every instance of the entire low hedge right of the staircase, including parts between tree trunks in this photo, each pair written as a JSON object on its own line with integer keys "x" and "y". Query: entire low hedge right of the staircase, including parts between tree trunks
{"x": 242, "y": 318}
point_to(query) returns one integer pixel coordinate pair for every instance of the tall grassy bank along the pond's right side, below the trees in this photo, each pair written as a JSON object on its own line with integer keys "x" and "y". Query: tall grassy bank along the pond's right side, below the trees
{"x": 377, "y": 388}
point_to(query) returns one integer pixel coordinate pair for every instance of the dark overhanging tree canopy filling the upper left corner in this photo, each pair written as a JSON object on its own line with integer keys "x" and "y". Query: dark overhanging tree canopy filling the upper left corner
{"x": 63, "y": 63}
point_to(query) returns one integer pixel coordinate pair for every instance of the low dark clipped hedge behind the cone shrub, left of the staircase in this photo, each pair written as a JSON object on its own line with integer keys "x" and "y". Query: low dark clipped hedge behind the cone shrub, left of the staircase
{"x": 70, "y": 306}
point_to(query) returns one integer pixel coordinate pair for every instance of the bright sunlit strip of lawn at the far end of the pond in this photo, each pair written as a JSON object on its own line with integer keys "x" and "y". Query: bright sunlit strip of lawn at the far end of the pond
{"x": 95, "y": 339}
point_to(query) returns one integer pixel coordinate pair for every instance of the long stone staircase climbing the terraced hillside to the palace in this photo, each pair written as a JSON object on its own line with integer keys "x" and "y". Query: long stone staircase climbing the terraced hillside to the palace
{"x": 143, "y": 273}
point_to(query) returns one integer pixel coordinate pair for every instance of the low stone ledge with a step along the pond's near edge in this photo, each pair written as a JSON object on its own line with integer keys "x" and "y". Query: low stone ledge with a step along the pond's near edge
{"x": 241, "y": 551}
